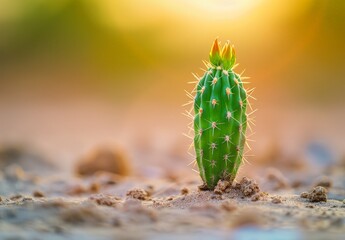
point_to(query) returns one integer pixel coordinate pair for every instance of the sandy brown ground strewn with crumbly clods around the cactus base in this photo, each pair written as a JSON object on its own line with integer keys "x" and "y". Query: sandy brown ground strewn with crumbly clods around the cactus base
{"x": 38, "y": 201}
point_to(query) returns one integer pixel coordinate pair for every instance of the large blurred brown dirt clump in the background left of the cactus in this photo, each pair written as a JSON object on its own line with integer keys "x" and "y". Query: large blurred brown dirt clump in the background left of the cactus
{"x": 104, "y": 159}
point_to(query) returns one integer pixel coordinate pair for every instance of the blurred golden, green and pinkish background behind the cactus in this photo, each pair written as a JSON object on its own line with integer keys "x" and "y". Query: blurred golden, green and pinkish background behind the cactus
{"x": 77, "y": 74}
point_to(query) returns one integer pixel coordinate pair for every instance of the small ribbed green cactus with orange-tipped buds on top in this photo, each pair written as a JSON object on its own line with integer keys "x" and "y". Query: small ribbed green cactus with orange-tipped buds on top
{"x": 220, "y": 119}
